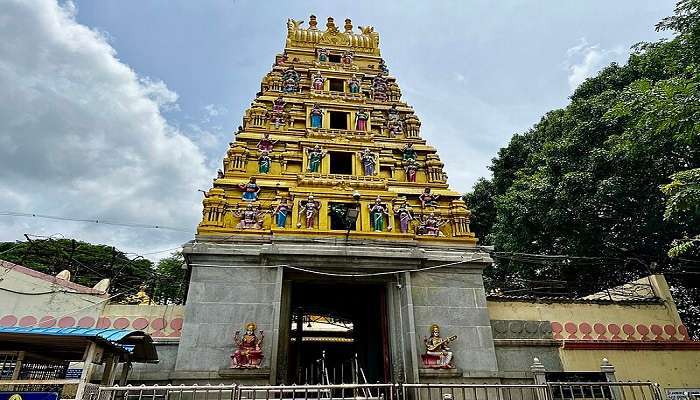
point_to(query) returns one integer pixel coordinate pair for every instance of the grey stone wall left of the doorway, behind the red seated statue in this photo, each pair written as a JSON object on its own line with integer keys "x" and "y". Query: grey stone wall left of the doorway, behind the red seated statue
{"x": 220, "y": 301}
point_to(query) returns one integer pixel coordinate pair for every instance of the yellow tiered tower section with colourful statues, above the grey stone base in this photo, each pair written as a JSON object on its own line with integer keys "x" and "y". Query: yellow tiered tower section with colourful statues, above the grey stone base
{"x": 329, "y": 148}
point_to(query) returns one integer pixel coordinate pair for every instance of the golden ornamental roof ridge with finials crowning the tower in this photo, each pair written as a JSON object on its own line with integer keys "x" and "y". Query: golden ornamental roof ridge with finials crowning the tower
{"x": 366, "y": 41}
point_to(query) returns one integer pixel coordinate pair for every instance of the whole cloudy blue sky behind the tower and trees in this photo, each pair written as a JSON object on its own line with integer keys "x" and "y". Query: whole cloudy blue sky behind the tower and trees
{"x": 118, "y": 111}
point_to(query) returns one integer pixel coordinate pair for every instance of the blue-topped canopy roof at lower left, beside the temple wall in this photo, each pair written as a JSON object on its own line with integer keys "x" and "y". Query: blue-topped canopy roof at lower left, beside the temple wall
{"x": 70, "y": 343}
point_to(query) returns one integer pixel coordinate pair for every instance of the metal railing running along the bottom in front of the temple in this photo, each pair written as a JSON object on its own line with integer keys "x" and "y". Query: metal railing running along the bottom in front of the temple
{"x": 389, "y": 391}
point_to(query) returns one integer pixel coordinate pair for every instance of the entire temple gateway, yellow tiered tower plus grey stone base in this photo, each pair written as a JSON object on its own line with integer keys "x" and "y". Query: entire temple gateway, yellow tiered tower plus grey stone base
{"x": 330, "y": 206}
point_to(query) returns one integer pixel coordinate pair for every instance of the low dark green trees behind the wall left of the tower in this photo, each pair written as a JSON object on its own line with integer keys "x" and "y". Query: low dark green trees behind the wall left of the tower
{"x": 89, "y": 263}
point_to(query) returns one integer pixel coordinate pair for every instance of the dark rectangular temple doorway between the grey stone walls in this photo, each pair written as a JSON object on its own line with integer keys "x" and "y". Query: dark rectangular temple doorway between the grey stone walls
{"x": 338, "y": 333}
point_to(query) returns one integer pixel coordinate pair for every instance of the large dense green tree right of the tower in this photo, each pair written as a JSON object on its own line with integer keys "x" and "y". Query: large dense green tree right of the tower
{"x": 585, "y": 181}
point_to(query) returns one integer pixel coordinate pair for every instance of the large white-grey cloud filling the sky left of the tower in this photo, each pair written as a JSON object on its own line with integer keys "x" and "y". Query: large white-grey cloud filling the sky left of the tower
{"x": 82, "y": 135}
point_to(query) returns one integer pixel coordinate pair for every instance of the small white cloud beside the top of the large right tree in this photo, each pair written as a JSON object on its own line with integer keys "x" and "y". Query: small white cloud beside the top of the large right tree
{"x": 585, "y": 60}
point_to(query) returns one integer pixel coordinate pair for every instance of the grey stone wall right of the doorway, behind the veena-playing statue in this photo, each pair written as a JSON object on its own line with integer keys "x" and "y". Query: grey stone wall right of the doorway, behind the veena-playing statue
{"x": 455, "y": 300}
